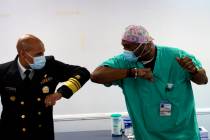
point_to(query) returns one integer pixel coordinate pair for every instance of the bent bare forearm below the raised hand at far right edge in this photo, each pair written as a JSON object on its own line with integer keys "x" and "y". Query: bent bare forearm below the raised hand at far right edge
{"x": 199, "y": 77}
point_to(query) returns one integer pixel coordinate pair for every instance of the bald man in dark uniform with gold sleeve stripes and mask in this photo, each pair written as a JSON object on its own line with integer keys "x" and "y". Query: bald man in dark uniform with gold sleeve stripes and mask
{"x": 27, "y": 89}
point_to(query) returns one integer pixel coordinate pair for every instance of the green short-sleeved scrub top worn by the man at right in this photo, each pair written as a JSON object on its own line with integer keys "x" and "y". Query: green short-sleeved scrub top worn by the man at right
{"x": 143, "y": 97}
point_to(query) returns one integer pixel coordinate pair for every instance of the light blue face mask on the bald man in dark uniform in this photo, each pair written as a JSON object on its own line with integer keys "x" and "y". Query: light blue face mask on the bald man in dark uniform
{"x": 39, "y": 62}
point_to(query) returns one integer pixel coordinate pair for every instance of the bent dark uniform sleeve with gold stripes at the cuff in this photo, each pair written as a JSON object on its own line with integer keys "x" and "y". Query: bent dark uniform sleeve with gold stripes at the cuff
{"x": 73, "y": 76}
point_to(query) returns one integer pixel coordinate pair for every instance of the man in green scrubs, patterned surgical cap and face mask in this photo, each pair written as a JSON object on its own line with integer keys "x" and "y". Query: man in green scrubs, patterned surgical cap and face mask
{"x": 156, "y": 83}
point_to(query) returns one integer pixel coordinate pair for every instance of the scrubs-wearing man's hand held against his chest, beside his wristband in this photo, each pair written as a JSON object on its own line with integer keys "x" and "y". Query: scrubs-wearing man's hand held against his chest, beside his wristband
{"x": 145, "y": 74}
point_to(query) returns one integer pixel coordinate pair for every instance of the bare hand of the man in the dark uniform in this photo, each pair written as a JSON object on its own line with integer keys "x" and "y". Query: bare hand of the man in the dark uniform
{"x": 51, "y": 99}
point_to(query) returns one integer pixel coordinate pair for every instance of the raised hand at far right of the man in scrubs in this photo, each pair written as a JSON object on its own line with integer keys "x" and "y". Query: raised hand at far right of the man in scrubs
{"x": 187, "y": 64}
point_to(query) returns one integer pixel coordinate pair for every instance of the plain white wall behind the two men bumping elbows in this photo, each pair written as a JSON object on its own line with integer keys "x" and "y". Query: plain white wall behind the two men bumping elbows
{"x": 86, "y": 32}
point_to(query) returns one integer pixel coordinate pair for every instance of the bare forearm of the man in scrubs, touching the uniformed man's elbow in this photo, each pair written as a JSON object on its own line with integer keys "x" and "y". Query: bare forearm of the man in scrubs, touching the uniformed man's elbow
{"x": 104, "y": 75}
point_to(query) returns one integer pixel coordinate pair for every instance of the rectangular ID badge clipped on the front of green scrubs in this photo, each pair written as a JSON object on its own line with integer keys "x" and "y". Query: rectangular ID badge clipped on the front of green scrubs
{"x": 165, "y": 108}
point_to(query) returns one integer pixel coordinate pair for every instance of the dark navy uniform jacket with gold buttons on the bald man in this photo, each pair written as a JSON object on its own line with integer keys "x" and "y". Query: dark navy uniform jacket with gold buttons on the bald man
{"x": 24, "y": 115}
